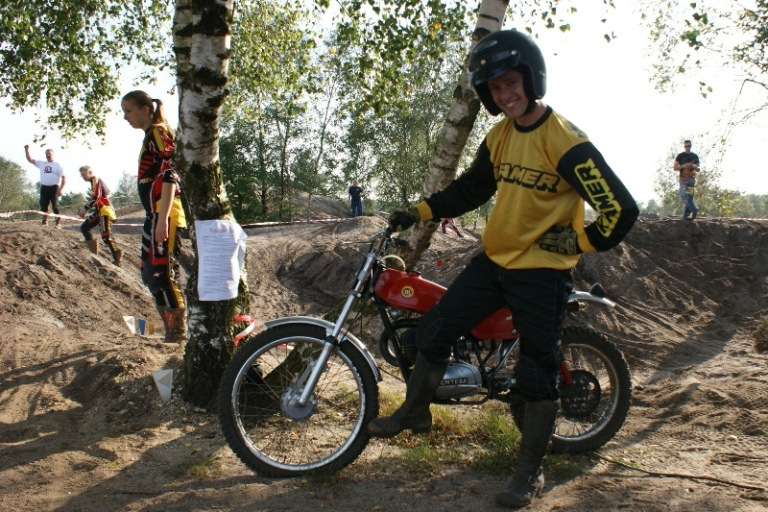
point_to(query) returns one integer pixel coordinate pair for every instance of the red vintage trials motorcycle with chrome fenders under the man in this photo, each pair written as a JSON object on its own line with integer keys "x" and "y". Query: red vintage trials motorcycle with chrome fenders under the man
{"x": 297, "y": 395}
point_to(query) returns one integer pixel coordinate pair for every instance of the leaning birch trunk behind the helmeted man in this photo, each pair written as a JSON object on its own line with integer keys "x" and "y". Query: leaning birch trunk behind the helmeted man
{"x": 458, "y": 125}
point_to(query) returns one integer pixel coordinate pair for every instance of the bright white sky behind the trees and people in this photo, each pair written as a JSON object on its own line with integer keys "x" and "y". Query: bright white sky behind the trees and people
{"x": 603, "y": 88}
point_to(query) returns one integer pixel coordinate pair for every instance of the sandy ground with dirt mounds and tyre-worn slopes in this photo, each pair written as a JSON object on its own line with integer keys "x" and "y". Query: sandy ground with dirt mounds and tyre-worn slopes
{"x": 82, "y": 427}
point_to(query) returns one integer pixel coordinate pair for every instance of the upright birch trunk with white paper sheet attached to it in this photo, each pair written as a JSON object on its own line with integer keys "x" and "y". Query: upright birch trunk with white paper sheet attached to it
{"x": 201, "y": 36}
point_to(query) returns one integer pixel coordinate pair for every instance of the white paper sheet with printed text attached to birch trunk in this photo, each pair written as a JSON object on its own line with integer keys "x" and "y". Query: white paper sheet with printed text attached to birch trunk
{"x": 221, "y": 250}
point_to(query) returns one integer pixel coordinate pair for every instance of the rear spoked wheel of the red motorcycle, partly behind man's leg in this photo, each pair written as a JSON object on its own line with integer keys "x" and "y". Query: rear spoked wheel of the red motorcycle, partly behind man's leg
{"x": 595, "y": 403}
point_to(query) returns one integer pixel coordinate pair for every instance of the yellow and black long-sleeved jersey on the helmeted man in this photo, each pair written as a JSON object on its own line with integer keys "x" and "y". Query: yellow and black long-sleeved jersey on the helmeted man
{"x": 542, "y": 175}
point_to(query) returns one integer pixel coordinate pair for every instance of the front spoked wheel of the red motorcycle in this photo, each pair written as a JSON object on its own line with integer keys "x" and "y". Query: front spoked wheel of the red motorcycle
{"x": 262, "y": 415}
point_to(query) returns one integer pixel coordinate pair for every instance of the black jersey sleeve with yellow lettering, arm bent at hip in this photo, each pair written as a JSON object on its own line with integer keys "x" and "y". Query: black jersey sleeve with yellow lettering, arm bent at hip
{"x": 585, "y": 169}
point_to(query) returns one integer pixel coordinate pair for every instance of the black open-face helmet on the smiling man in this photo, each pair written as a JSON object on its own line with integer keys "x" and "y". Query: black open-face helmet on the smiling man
{"x": 501, "y": 51}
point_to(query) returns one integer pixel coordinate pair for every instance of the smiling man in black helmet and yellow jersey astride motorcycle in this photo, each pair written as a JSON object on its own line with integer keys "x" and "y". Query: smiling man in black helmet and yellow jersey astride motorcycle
{"x": 542, "y": 169}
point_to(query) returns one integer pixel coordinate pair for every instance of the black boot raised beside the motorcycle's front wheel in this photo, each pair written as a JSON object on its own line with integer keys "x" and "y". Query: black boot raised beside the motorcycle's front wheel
{"x": 414, "y": 413}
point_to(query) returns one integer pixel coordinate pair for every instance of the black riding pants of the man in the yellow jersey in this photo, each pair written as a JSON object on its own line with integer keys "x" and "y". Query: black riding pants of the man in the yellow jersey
{"x": 537, "y": 298}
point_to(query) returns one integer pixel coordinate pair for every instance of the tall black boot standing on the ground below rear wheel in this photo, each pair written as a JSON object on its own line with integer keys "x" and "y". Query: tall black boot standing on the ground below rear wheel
{"x": 528, "y": 480}
